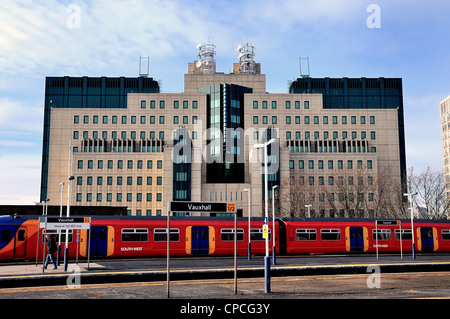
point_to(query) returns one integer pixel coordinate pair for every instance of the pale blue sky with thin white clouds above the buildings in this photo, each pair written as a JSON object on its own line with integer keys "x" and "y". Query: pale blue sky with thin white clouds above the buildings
{"x": 409, "y": 39}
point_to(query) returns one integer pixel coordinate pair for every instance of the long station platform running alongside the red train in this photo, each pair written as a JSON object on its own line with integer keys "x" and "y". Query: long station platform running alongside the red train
{"x": 201, "y": 268}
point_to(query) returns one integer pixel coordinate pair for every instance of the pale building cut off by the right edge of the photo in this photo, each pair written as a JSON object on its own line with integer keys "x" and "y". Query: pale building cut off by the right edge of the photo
{"x": 445, "y": 125}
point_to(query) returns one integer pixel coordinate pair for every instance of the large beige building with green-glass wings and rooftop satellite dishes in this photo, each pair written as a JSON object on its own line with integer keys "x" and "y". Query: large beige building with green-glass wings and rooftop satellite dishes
{"x": 134, "y": 146}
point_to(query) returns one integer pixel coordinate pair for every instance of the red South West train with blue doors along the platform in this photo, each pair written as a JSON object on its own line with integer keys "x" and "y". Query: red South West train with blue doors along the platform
{"x": 147, "y": 237}
